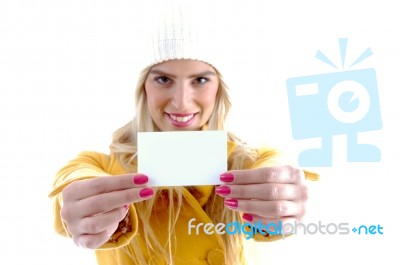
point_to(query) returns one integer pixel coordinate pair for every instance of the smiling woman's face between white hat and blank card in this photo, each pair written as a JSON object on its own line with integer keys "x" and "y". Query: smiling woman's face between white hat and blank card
{"x": 181, "y": 94}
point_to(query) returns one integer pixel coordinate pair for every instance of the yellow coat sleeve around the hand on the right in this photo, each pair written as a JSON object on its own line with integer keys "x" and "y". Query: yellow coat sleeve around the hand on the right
{"x": 271, "y": 157}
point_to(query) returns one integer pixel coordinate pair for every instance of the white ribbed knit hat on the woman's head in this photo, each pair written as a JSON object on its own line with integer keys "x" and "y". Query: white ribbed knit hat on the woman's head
{"x": 184, "y": 30}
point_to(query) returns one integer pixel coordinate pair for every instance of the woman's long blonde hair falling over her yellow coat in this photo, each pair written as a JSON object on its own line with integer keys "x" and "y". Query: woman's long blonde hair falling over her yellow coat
{"x": 124, "y": 145}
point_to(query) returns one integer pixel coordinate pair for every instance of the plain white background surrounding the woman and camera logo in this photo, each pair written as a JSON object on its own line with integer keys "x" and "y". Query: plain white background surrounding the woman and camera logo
{"x": 67, "y": 74}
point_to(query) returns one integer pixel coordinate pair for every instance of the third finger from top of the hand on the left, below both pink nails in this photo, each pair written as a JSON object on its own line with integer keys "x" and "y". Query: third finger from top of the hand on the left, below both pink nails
{"x": 98, "y": 223}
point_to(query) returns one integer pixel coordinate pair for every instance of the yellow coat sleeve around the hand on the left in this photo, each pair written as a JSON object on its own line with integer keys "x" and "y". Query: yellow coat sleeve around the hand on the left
{"x": 88, "y": 165}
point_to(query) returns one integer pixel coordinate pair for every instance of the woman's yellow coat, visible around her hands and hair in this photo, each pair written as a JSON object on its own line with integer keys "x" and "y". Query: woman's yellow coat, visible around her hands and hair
{"x": 191, "y": 249}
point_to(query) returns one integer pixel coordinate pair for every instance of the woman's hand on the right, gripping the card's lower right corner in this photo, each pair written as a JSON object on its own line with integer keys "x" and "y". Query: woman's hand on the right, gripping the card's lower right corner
{"x": 267, "y": 194}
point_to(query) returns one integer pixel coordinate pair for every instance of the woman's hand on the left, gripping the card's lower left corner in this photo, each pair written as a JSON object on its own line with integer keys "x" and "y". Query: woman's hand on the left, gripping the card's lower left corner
{"x": 93, "y": 208}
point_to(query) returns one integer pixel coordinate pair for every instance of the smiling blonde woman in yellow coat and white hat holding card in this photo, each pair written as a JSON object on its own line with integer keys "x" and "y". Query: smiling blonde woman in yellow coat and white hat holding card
{"x": 103, "y": 203}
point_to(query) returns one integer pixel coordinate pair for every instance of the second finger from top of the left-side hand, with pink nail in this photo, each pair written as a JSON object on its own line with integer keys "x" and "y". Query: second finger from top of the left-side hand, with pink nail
{"x": 108, "y": 201}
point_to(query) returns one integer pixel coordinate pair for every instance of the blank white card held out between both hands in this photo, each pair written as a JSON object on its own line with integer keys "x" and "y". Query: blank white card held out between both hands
{"x": 182, "y": 158}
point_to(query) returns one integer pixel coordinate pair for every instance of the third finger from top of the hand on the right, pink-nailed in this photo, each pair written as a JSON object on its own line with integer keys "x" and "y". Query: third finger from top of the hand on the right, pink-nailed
{"x": 268, "y": 209}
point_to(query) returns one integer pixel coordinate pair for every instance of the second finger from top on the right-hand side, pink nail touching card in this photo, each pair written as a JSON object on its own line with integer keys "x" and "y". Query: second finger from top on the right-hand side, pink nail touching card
{"x": 264, "y": 191}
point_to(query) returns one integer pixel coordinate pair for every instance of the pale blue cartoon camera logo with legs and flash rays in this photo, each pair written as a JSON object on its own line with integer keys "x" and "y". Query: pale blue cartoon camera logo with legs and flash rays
{"x": 330, "y": 104}
